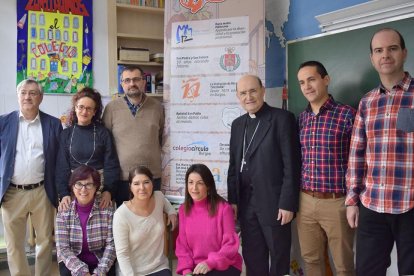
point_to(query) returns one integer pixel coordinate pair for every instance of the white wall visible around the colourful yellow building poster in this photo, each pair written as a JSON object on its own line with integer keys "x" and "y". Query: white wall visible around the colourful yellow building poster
{"x": 52, "y": 104}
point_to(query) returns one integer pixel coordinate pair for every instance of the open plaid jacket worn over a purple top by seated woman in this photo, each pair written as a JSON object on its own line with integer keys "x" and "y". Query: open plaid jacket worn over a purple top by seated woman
{"x": 99, "y": 236}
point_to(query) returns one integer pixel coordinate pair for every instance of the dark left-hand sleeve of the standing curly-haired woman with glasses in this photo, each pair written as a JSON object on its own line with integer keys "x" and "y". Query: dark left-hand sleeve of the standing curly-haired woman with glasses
{"x": 63, "y": 166}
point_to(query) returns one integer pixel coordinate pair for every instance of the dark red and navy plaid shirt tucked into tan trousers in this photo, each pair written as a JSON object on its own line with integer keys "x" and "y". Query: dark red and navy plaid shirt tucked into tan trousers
{"x": 324, "y": 140}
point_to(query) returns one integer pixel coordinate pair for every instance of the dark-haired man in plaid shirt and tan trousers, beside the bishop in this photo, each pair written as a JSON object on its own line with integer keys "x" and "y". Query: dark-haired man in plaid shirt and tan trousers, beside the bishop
{"x": 325, "y": 129}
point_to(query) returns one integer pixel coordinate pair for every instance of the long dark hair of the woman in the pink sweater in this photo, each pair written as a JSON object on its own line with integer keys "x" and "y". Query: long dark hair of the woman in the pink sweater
{"x": 213, "y": 198}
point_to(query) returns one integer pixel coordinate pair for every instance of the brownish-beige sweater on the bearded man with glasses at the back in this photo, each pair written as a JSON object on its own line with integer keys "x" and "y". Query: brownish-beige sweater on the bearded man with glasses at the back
{"x": 137, "y": 139}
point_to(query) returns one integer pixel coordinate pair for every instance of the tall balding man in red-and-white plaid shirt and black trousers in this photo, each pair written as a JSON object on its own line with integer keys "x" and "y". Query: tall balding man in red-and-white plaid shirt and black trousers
{"x": 380, "y": 200}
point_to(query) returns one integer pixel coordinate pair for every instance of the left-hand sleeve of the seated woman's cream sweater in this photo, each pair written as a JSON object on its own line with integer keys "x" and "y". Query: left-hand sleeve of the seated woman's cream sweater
{"x": 121, "y": 238}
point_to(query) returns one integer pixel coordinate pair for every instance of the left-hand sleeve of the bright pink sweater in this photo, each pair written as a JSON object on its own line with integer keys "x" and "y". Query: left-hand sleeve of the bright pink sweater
{"x": 185, "y": 263}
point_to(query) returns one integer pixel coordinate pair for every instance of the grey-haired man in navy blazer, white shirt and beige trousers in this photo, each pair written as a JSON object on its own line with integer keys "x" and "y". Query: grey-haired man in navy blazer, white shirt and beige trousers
{"x": 28, "y": 147}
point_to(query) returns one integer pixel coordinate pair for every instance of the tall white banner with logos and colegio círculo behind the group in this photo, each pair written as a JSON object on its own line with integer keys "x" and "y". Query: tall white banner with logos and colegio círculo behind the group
{"x": 209, "y": 47}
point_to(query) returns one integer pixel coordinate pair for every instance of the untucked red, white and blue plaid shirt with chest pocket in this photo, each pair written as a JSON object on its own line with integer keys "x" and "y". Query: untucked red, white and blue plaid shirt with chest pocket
{"x": 381, "y": 161}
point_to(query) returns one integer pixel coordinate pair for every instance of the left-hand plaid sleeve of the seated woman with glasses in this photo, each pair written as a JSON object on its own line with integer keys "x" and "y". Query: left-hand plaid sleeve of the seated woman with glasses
{"x": 64, "y": 251}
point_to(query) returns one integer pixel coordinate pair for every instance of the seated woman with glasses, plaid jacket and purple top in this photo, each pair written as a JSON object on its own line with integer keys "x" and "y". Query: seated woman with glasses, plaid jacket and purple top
{"x": 84, "y": 241}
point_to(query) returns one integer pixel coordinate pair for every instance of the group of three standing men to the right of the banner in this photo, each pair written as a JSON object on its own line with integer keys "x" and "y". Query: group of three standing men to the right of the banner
{"x": 336, "y": 168}
